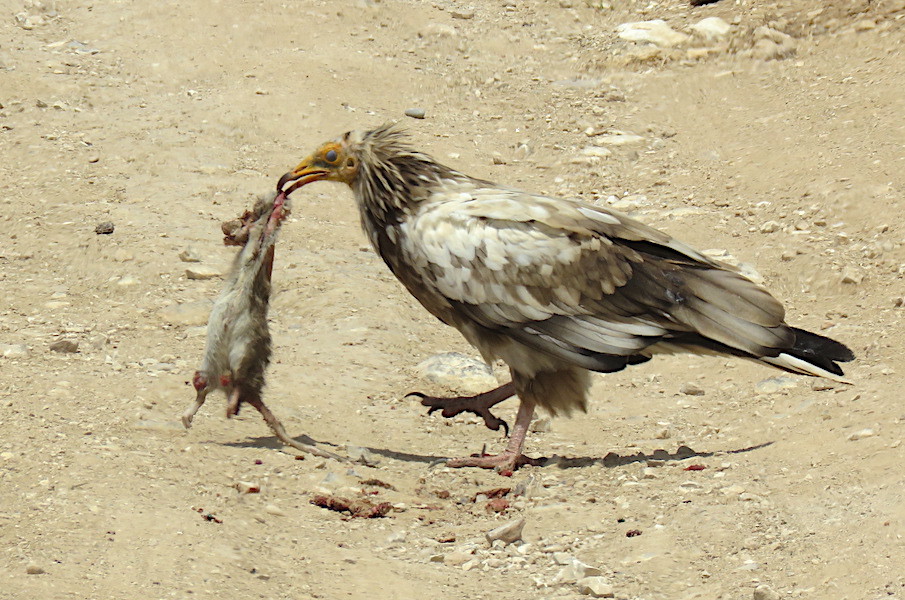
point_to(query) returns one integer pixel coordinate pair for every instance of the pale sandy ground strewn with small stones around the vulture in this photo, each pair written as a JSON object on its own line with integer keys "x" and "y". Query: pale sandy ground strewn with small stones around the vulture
{"x": 166, "y": 118}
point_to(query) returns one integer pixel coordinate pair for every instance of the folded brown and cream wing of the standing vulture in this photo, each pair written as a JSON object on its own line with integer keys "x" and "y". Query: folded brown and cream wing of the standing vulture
{"x": 578, "y": 280}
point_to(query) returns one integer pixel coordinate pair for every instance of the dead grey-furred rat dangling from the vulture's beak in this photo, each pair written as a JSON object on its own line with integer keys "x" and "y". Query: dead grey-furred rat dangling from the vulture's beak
{"x": 238, "y": 338}
